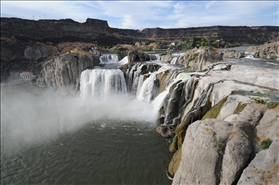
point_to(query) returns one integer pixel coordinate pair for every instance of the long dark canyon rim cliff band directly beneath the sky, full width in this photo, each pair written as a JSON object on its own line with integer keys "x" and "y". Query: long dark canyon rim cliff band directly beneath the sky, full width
{"x": 98, "y": 31}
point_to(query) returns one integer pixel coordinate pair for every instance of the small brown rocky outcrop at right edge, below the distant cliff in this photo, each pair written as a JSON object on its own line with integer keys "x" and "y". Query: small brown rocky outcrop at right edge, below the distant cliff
{"x": 267, "y": 50}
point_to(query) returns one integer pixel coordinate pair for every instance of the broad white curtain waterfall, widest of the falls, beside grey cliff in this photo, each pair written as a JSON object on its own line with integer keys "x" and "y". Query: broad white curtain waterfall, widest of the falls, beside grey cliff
{"x": 102, "y": 83}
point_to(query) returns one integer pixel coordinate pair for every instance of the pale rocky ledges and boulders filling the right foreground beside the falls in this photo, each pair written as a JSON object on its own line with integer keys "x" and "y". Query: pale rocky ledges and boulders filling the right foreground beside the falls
{"x": 223, "y": 119}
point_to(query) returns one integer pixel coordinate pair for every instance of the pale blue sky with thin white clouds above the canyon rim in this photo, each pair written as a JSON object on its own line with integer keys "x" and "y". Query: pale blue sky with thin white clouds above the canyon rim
{"x": 150, "y": 14}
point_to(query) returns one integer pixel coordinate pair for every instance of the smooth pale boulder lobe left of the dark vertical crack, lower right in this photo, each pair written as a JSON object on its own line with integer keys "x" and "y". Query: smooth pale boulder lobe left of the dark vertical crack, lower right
{"x": 200, "y": 161}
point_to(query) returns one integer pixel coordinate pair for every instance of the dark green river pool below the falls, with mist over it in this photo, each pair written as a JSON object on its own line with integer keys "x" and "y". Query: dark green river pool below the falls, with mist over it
{"x": 46, "y": 141}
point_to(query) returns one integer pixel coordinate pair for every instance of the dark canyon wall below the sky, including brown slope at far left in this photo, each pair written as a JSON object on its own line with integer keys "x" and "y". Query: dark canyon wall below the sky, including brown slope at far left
{"x": 55, "y": 37}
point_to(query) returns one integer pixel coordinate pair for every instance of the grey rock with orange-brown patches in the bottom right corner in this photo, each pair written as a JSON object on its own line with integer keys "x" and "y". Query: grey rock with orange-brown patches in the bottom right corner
{"x": 264, "y": 167}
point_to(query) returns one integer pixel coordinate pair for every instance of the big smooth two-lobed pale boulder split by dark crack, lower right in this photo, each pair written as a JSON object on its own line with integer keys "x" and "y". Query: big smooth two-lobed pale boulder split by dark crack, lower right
{"x": 228, "y": 148}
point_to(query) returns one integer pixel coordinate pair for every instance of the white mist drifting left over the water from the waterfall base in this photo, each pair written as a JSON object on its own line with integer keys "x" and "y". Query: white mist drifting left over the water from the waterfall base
{"x": 31, "y": 115}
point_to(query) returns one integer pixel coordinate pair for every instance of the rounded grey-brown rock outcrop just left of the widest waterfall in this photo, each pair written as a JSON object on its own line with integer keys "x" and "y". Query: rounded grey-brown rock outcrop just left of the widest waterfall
{"x": 62, "y": 73}
